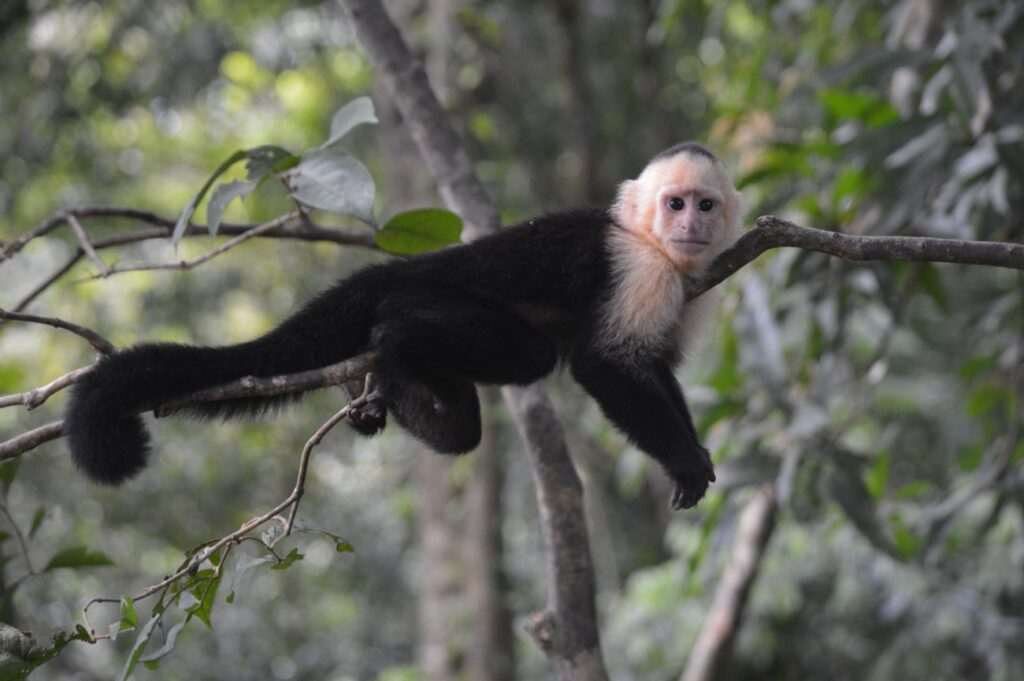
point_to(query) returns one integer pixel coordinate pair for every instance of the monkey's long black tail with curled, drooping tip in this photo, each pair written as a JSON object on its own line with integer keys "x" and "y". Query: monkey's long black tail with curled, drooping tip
{"x": 106, "y": 434}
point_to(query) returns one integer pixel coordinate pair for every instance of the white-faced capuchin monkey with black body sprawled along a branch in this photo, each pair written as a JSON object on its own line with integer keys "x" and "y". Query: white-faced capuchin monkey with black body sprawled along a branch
{"x": 600, "y": 289}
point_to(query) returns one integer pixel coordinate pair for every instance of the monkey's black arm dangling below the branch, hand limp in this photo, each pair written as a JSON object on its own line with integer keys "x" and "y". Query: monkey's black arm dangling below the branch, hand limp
{"x": 646, "y": 403}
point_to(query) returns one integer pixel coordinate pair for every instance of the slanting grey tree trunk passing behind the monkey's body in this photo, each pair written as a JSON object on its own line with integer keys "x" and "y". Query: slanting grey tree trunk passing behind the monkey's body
{"x": 571, "y": 623}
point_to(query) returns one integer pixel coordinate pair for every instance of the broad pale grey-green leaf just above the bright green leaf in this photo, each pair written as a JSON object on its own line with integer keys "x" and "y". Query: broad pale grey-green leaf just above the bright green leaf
{"x": 332, "y": 181}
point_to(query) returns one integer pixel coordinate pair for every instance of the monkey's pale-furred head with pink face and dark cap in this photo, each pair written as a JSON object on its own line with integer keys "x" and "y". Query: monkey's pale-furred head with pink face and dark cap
{"x": 685, "y": 204}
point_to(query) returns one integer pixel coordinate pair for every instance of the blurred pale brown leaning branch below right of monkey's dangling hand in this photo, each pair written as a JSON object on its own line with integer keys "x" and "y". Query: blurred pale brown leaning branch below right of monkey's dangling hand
{"x": 716, "y": 639}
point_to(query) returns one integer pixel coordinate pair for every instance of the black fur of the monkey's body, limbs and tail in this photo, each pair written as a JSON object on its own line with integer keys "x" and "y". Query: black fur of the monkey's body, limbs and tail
{"x": 501, "y": 311}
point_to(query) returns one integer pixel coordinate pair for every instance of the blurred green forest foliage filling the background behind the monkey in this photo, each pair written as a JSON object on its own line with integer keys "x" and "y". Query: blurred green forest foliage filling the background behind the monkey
{"x": 884, "y": 400}
